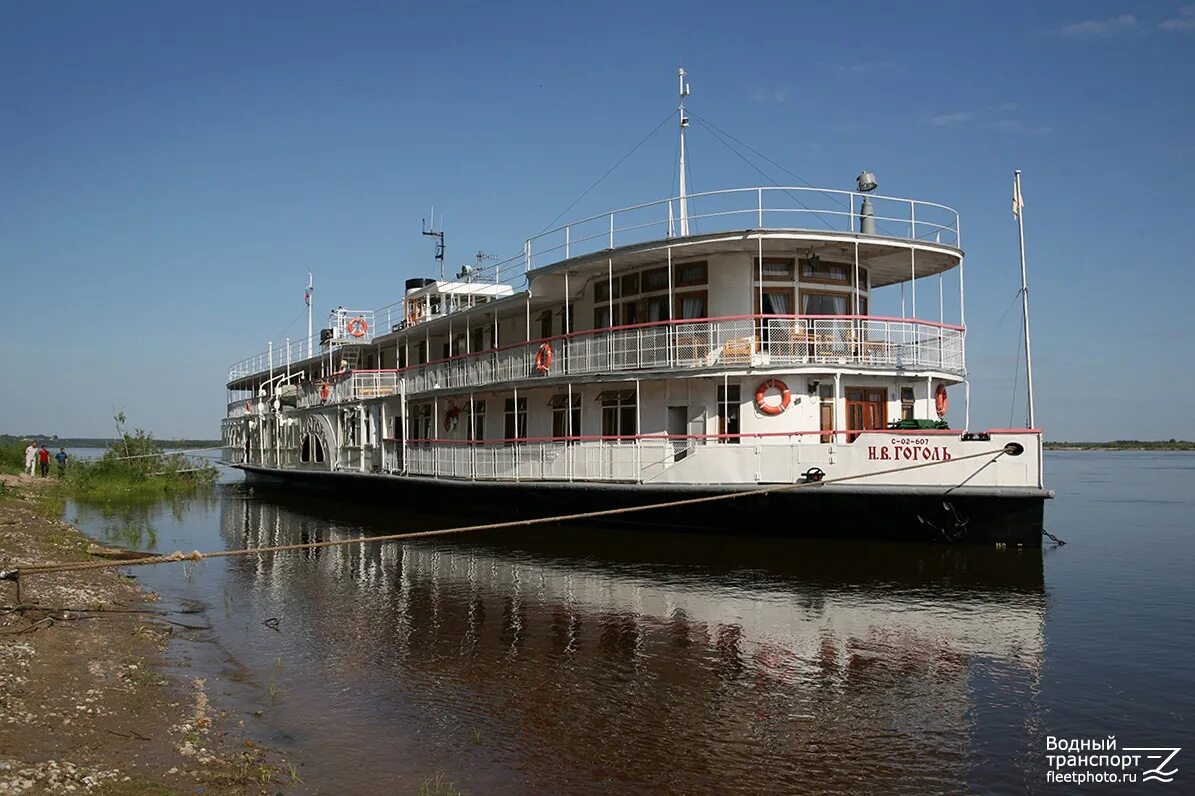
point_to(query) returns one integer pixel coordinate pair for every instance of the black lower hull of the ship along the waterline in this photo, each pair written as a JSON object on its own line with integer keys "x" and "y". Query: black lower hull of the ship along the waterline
{"x": 978, "y": 516}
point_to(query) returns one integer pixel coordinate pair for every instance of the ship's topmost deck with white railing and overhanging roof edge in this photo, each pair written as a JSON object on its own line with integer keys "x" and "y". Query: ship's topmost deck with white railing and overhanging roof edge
{"x": 898, "y": 238}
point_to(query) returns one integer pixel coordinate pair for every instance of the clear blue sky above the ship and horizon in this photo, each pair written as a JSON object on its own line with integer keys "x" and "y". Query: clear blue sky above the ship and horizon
{"x": 170, "y": 174}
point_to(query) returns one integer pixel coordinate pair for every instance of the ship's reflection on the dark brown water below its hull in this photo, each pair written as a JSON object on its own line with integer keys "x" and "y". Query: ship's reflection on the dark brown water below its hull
{"x": 566, "y": 660}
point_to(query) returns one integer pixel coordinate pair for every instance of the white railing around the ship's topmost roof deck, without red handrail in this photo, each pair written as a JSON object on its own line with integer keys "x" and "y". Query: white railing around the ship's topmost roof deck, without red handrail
{"x": 763, "y": 207}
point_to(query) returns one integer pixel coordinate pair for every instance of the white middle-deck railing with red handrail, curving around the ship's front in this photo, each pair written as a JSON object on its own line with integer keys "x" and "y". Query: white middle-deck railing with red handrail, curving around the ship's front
{"x": 714, "y": 344}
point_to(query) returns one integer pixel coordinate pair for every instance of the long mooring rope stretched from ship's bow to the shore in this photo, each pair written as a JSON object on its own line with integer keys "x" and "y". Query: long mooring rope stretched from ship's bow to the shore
{"x": 197, "y": 556}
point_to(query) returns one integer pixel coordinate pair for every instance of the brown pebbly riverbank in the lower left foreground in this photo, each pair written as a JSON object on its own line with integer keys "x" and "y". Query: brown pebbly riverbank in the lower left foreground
{"x": 89, "y": 701}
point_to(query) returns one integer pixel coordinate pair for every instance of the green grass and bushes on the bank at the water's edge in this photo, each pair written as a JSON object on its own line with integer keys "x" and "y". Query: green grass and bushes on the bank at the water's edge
{"x": 133, "y": 469}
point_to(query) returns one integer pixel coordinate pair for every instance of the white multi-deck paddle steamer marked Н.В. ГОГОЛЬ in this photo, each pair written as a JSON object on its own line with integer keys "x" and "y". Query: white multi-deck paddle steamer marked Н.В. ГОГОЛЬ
{"x": 707, "y": 344}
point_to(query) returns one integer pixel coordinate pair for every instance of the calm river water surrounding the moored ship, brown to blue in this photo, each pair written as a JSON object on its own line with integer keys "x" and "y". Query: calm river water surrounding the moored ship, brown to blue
{"x": 593, "y": 662}
